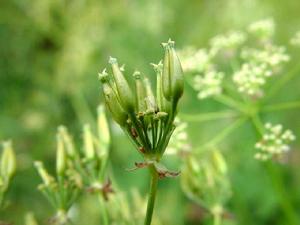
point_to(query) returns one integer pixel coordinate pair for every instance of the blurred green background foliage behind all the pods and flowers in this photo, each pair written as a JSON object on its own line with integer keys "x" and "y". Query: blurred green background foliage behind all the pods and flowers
{"x": 50, "y": 54}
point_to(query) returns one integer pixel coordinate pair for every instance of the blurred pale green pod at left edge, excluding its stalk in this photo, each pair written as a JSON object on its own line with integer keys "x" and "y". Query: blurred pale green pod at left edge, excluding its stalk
{"x": 8, "y": 161}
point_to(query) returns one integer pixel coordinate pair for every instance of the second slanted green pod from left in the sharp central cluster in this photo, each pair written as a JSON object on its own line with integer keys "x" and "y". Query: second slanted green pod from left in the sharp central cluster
{"x": 124, "y": 92}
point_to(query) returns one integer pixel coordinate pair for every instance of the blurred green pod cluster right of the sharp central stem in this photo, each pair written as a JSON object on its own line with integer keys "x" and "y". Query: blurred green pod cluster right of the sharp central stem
{"x": 205, "y": 180}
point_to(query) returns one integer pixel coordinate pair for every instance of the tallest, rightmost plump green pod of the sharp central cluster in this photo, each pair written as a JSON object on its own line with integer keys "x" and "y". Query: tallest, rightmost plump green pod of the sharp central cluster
{"x": 172, "y": 77}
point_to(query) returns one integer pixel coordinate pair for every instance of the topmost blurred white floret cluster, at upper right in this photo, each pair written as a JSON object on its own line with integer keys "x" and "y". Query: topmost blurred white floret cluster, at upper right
{"x": 262, "y": 29}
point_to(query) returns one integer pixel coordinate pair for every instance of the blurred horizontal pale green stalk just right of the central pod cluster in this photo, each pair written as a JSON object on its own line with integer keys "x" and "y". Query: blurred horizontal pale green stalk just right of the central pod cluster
{"x": 208, "y": 116}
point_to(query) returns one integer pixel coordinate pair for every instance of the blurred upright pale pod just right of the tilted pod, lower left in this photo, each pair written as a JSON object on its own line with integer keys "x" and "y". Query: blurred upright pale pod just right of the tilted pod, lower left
{"x": 61, "y": 158}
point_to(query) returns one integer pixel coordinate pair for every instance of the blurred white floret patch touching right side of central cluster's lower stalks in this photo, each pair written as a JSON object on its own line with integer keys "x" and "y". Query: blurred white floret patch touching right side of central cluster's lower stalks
{"x": 179, "y": 139}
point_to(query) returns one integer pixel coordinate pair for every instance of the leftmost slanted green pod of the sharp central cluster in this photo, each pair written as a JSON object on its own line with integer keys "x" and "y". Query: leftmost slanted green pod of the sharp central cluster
{"x": 112, "y": 101}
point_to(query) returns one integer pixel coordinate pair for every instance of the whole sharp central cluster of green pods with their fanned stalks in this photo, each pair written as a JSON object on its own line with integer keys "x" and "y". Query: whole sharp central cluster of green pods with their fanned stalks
{"x": 148, "y": 119}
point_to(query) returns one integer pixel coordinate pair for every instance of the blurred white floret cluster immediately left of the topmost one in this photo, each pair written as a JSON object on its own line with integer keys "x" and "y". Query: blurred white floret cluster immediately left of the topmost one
{"x": 229, "y": 41}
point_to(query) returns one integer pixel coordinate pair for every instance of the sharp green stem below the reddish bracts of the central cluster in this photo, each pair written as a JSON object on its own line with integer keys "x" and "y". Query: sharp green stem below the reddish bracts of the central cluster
{"x": 152, "y": 195}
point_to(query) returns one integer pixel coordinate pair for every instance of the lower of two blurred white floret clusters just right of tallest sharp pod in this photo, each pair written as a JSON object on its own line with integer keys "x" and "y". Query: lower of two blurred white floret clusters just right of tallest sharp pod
{"x": 209, "y": 84}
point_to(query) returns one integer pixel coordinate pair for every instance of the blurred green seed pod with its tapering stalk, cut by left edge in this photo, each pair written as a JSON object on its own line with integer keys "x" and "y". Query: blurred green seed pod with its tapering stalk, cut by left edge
{"x": 7, "y": 168}
